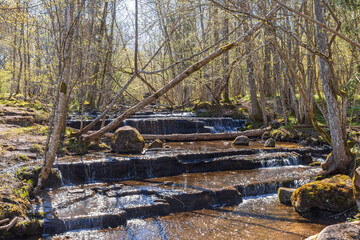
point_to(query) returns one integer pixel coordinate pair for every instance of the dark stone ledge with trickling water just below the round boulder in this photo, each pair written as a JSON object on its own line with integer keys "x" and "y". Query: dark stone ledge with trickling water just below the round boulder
{"x": 114, "y": 167}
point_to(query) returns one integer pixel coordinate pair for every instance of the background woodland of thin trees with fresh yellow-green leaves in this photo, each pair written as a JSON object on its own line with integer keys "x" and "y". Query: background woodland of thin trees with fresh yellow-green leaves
{"x": 172, "y": 35}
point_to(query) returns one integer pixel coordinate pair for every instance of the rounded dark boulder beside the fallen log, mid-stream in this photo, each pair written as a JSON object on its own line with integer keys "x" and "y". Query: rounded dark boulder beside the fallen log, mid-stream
{"x": 127, "y": 140}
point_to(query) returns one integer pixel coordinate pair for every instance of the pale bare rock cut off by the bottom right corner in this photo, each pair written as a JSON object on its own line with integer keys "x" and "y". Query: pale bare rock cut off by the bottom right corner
{"x": 345, "y": 231}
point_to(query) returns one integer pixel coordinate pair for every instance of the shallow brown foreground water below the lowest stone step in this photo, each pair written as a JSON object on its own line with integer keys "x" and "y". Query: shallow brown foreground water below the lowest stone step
{"x": 260, "y": 218}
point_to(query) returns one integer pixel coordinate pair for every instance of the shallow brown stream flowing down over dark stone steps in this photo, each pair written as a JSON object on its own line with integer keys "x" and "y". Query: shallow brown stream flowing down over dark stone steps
{"x": 189, "y": 190}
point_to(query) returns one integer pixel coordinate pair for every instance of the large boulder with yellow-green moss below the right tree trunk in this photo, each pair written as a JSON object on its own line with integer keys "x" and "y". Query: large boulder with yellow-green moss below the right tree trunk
{"x": 333, "y": 194}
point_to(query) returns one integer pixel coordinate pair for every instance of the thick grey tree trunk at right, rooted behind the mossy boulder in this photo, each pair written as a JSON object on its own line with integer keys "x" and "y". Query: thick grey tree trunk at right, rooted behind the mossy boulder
{"x": 340, "y": 158}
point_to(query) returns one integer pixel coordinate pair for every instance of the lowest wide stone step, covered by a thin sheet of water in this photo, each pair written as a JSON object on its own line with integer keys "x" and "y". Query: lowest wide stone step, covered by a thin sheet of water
{"x": 104, "y": 205}
